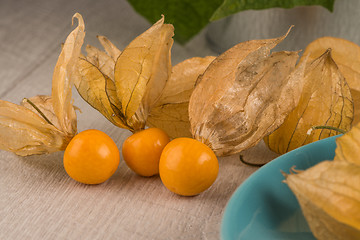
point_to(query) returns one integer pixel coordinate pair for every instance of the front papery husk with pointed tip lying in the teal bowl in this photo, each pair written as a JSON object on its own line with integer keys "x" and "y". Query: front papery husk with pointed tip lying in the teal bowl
{"x": 329, "y": 196}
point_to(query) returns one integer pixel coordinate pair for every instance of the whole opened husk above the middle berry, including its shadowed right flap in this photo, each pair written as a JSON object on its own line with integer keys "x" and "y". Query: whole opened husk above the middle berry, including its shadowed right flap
{"x": 139, "y": 86}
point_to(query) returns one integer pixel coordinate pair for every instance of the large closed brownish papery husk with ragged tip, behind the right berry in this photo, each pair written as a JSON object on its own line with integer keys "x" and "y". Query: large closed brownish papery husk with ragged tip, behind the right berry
{"x": 244, "y": 94}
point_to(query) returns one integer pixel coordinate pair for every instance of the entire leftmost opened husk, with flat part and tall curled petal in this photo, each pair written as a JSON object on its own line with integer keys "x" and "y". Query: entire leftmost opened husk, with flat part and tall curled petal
{"x": 45, "y": 124}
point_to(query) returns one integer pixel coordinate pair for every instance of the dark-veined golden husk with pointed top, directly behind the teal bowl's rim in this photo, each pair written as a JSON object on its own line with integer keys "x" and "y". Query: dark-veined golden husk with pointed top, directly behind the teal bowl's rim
{"x": 325, "y": 101}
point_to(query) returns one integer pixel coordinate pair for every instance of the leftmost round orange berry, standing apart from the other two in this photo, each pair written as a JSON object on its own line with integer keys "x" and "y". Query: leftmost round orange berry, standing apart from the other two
{"x": 91, "y": 157}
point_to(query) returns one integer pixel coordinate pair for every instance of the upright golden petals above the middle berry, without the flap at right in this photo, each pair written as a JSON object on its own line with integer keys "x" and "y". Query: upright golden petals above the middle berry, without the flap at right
{"x": 124, "y": 86}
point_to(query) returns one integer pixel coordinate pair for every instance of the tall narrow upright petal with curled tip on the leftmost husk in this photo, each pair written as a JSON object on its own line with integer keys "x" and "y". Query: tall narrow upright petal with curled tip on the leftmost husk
{"x": 63, "y": 77}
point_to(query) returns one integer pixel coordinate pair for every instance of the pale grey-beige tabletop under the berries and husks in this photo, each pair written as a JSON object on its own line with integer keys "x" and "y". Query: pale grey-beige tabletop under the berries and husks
{"x": 37, "y": 198}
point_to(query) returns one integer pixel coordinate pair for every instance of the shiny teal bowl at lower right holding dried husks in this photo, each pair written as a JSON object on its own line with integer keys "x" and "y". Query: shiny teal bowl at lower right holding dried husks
{"x": 263, "y": 207}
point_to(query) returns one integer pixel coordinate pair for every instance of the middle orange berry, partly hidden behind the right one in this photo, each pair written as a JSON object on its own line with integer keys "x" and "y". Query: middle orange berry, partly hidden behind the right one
{"x": 142, "y": 150}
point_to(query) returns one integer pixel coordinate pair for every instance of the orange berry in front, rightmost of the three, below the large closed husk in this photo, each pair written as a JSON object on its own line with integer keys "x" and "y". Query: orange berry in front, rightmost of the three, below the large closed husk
{"x": 188, "y": 167}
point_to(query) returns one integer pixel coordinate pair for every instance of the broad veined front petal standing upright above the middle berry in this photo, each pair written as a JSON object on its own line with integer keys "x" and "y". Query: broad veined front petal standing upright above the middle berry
{"x": 142, "y": 70}
